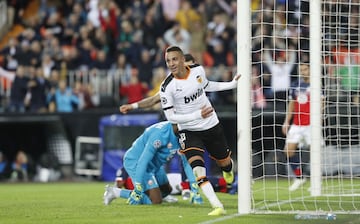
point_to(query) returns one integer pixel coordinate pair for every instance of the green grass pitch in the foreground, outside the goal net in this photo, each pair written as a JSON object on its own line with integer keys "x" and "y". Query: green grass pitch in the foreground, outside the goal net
{"x": 82, "y": 203}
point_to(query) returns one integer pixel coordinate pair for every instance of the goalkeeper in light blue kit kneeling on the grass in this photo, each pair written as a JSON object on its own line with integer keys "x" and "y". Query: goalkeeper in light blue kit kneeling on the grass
{"x": 144, "y": 162}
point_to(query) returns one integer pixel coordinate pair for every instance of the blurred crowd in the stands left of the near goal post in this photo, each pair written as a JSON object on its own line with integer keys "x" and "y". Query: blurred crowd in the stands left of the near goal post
{"x": 104, "y": 36}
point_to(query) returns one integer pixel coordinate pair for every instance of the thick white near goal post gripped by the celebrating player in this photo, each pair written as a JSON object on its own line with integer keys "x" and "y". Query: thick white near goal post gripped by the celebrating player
{"x": 243, "y": 107}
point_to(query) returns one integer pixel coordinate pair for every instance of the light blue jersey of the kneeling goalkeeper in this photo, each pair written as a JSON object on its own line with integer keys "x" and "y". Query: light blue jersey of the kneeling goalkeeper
{"x": 151, "y": 150}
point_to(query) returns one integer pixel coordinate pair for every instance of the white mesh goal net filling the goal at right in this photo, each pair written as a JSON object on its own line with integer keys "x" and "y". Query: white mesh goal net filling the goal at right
{"x": 314, "y": 166}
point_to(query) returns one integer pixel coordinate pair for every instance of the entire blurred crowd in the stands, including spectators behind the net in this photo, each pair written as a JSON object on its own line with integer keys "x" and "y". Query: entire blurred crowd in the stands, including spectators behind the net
{"x": 128, "y": 38}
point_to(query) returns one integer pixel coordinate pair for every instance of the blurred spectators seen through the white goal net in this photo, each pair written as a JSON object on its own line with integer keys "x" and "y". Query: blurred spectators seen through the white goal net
{"x": 281, "y": 40}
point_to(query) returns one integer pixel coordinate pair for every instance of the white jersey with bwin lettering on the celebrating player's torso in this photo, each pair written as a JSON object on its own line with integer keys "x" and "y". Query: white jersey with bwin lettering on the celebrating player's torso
{"x": 186, "y": 96}
